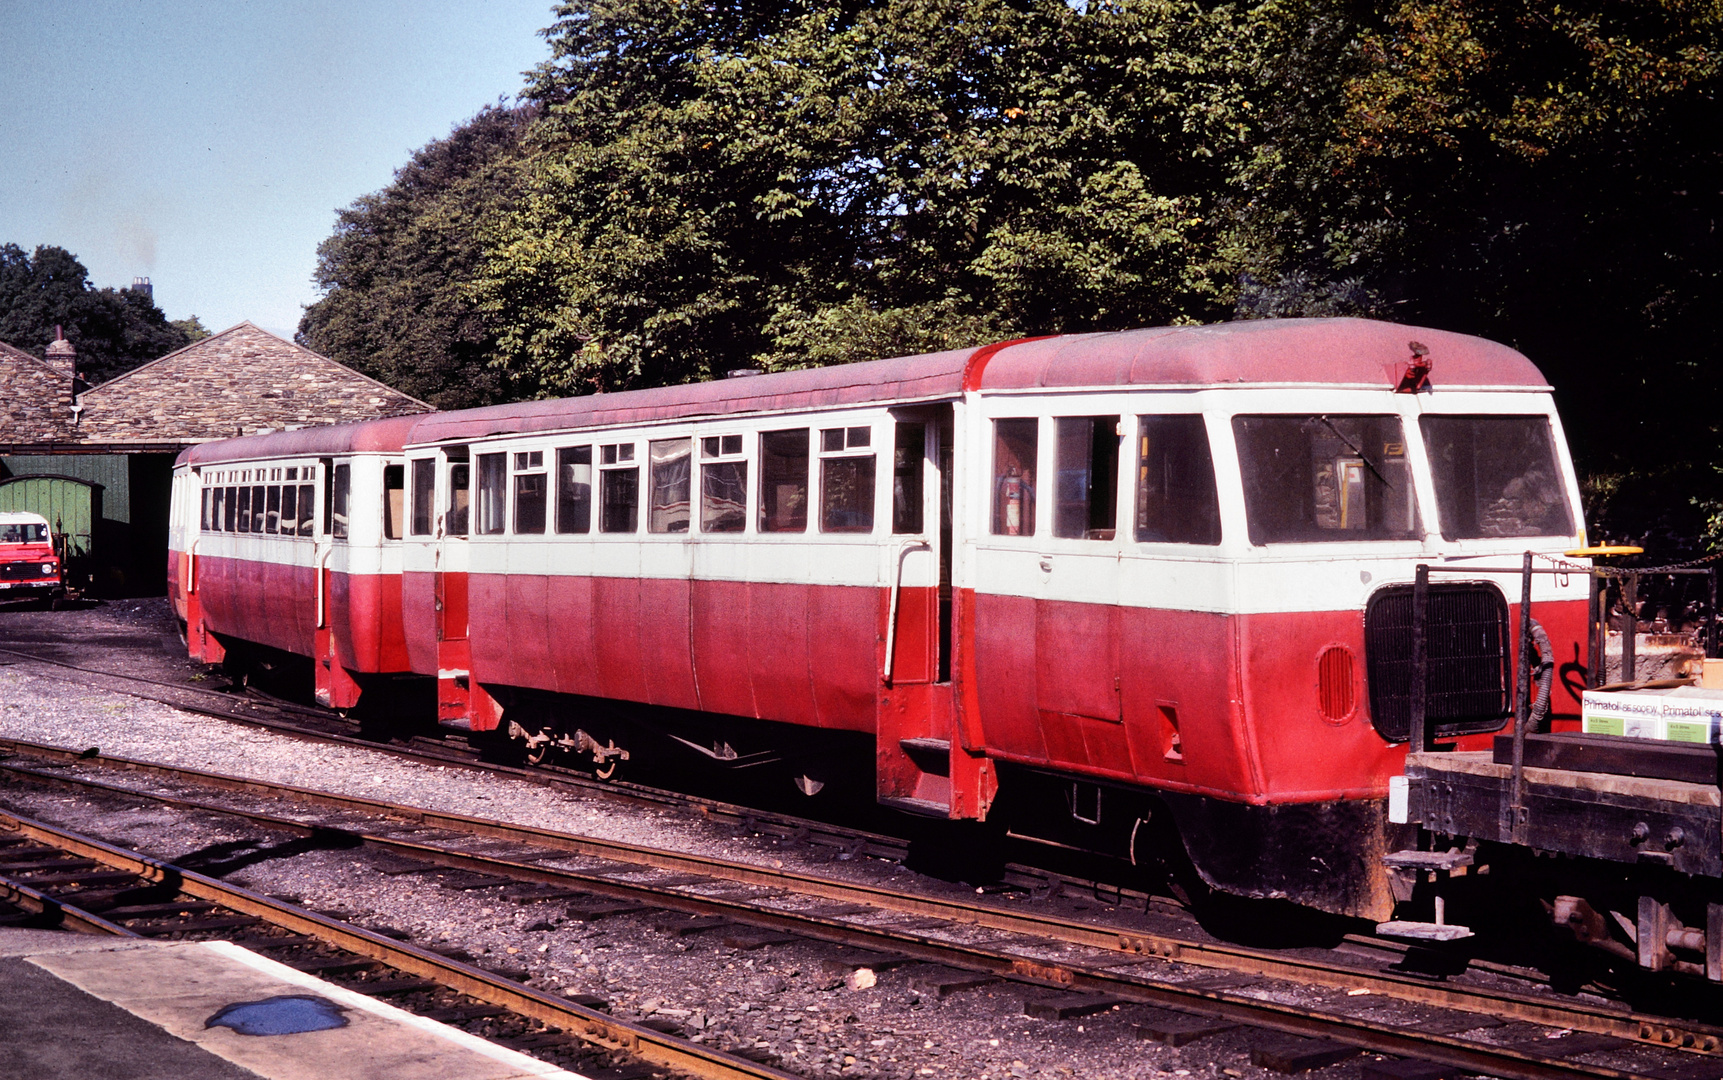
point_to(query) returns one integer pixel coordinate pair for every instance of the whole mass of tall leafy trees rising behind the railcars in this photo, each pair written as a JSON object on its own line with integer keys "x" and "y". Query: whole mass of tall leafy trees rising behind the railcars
{"x": 707, "y": 185}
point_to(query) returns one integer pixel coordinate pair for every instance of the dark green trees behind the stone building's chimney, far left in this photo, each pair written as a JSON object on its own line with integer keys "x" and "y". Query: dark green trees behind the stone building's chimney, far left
{"x": 113, "y": 330}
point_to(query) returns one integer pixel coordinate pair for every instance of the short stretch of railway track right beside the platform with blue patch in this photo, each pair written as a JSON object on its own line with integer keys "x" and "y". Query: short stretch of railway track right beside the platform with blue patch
{"x": 53, "y": 878}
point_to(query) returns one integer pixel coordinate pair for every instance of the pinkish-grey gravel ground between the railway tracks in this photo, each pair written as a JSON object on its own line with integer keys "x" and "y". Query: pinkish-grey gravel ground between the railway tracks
{"x": 788, "y": 1002}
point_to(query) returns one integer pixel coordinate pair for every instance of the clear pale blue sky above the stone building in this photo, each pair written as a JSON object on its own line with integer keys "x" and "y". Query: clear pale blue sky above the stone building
{"x": 208, "y": 146}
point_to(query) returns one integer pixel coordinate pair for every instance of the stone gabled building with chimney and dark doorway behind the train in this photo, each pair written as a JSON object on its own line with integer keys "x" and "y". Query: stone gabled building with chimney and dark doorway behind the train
{"x": 120, "y": 440}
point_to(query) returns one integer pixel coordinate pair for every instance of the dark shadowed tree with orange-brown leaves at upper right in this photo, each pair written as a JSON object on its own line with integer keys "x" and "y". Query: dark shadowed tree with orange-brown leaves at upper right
{"x": 1538, "y": 173}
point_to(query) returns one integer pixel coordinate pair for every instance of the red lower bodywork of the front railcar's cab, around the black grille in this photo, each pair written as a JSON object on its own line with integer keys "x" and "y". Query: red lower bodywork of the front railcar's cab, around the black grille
{"x": 1222, "y": 705}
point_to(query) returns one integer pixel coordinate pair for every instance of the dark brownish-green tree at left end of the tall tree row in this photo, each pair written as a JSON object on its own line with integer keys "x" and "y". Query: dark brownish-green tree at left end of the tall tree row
{"x": 394, "y": 275}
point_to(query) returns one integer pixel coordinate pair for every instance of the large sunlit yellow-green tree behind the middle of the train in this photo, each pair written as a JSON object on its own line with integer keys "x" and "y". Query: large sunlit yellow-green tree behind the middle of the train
{"x": 726, "y": 185}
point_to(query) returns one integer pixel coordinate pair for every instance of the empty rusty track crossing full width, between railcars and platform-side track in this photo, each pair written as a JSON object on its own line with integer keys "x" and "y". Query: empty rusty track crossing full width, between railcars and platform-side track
{"x": 1074, "y": 965}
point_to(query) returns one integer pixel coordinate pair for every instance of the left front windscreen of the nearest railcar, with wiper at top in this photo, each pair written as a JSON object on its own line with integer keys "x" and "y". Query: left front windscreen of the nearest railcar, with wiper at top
{"x": 1319, "y": 478}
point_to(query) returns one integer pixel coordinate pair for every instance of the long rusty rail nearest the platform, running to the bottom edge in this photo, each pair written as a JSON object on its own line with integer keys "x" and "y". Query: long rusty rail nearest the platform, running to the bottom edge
{"x": 578, "y": 1021}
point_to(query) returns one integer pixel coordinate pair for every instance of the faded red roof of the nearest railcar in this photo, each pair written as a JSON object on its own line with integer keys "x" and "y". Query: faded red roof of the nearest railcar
{"x": 1300, "y": 352}
